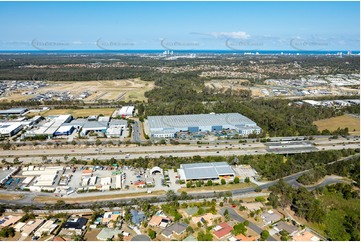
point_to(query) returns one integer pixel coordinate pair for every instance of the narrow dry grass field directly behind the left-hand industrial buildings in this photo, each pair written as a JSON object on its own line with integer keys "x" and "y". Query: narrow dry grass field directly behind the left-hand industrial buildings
{"x": 81, "y": 112}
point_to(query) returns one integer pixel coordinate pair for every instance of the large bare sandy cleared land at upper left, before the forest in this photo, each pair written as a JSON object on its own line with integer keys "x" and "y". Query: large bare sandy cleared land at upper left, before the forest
{"x": 124, "y": 90}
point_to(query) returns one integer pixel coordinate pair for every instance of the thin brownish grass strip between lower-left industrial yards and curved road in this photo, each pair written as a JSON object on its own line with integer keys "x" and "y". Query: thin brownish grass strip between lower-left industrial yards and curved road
{"x": 43, "y": 199}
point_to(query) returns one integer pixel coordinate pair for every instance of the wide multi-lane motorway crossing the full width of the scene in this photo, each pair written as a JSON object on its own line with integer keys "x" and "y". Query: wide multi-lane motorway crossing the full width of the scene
{"x": 36, "y": 155}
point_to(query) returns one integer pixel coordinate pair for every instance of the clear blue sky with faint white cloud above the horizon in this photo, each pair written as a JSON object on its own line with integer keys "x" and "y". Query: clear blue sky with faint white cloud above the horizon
{"x": 179, "y": 25}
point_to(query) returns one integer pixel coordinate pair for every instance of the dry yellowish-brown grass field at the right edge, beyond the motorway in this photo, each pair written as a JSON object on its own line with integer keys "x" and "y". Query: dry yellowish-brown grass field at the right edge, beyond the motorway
{"x": 344, "y": 121}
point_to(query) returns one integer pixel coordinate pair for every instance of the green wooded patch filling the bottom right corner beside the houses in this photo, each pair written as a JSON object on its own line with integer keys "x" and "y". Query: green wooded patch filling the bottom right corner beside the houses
{"x": 334, "y": 210}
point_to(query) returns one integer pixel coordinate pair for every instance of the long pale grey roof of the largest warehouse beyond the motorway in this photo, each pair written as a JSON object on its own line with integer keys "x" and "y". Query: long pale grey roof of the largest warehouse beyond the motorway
{"x": 195, "y": 120}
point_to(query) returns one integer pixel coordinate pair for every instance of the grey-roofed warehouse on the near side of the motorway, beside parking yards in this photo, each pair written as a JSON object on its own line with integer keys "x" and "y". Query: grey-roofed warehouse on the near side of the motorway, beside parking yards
{"x": 205, "y": 171}
